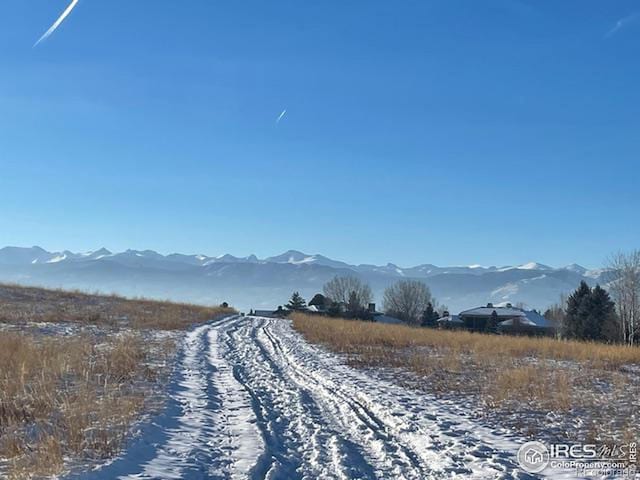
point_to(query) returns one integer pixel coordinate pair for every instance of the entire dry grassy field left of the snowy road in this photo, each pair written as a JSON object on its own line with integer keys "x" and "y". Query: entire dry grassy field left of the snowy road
{"x": 77, "y": 371}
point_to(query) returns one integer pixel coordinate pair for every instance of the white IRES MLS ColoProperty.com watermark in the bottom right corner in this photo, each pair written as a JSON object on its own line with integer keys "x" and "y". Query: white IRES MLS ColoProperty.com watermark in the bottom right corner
{"x": 585, "y": 460}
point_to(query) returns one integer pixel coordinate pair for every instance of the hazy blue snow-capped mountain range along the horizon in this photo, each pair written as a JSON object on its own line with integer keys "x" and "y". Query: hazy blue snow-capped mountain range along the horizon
{"x": 250, "y": 282}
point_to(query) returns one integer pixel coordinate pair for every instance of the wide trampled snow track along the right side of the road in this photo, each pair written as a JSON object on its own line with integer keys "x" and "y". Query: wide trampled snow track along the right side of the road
{"x": 446, "y": 444}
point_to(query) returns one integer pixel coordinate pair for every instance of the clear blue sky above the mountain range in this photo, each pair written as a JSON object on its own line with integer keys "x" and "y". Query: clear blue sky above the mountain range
{"x": 449, "y": 132}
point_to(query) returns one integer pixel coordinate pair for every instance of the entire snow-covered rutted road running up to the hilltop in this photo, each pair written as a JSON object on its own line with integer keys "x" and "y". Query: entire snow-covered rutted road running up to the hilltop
{"x": 251, "y": 399}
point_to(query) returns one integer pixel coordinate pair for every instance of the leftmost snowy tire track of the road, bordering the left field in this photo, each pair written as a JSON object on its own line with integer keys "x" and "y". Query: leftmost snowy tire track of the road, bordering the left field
{"x": 208, "y": 429}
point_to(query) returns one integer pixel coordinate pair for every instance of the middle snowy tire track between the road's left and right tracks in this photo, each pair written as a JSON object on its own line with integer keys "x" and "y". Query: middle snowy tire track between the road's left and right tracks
{"x": 300, "y": 443}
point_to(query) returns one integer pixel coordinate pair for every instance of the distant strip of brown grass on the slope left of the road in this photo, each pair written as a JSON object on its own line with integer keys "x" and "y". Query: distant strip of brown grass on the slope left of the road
{"x": 29, "y": 304}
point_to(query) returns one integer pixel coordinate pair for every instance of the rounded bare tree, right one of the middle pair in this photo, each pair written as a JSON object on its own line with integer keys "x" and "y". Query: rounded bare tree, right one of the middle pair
{"x": 407, "y": 300}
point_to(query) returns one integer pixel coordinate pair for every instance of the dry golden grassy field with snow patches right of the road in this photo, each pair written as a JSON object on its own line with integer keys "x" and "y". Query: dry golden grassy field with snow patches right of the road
{"x": 589, "y": 391}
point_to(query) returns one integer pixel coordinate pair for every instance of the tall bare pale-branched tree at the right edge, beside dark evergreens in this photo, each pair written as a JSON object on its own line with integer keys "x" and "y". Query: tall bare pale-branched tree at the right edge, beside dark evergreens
{"x": 624, "y": 285}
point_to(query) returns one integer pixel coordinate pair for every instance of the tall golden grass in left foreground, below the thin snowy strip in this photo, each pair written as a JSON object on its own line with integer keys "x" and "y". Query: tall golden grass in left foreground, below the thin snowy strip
{"x": 64, "y": 396}
